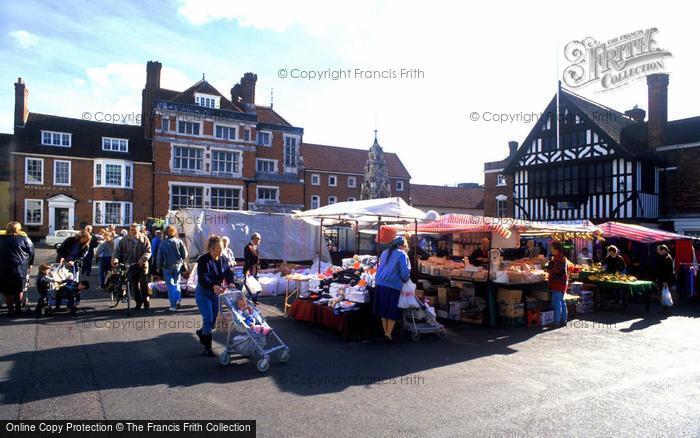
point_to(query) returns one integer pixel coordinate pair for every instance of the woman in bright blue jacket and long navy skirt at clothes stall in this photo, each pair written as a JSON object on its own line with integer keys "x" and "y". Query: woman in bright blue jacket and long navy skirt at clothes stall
{"x": 393, "y": 271}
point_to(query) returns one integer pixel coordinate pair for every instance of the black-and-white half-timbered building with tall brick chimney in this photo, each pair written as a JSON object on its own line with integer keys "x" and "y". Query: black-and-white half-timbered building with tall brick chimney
{"x": 604, "y": 165}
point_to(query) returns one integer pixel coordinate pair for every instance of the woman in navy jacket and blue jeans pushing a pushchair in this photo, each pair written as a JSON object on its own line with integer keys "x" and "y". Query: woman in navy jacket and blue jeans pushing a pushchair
{"x": 214, "y": 275}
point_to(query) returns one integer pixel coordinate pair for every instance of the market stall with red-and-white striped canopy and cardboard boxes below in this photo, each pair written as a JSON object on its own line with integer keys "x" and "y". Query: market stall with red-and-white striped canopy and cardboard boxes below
{"x": 507, "y": 289}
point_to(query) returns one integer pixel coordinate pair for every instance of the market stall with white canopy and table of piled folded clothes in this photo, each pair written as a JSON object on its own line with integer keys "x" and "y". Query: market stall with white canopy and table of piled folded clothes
{"x": 339, "y": 298}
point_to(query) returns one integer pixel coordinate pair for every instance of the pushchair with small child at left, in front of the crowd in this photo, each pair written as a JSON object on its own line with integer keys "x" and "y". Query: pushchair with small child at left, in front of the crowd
{"x": 56, "y": 282}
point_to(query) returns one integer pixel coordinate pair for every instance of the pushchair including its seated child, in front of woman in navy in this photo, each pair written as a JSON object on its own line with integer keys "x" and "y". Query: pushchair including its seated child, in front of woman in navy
{"x": 248, "y": 331}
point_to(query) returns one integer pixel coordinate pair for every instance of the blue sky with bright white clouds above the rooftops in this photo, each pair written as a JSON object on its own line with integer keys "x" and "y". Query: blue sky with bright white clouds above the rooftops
{"x": 487, "y": 58}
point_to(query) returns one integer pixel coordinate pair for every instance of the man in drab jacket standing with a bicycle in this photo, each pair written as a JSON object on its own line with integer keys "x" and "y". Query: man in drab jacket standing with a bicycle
{"x": 135, "y": 250}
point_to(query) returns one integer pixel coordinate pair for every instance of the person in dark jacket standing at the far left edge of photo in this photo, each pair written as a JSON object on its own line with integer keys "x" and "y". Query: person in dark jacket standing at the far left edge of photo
{"x": 16, "y": 259}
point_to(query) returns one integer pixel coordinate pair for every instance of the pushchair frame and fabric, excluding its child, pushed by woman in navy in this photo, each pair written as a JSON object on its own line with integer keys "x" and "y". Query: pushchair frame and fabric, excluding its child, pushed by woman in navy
{"x": 241, "y": 339}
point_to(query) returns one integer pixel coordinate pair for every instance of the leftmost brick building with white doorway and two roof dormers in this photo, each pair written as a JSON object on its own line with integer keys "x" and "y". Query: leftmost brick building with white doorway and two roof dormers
{"x": 67, "y": 173}
